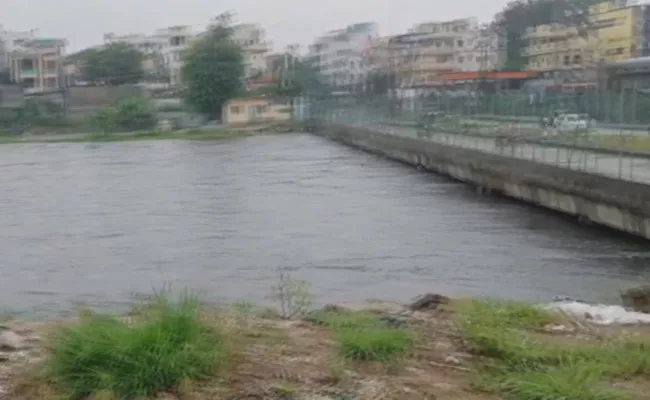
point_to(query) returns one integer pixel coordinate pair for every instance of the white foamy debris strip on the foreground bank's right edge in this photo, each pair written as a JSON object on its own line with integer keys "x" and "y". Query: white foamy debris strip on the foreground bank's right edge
{"x": 600, "y": 313}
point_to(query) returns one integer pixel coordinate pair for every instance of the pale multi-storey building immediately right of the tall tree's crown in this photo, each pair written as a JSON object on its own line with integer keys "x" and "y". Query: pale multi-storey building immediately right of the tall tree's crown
{"x": 252, "y": 39}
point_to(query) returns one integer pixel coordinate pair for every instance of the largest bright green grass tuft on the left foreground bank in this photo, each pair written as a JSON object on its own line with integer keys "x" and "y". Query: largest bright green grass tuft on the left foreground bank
{"x": 169, "y": 345}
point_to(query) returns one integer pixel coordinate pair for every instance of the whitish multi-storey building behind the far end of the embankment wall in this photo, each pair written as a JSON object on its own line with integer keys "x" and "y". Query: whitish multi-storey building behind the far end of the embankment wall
{"x": 340, "y": 54}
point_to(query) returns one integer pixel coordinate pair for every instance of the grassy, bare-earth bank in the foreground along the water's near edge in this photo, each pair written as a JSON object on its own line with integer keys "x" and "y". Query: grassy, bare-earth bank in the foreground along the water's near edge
{"x": 463, "y": 349}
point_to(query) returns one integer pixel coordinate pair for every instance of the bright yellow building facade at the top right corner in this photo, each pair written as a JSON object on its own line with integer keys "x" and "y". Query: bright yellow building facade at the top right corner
{"x": 615, "y": 30}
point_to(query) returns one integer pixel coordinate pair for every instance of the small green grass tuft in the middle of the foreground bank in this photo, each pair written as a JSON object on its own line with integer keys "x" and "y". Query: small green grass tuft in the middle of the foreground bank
{"x": 363, "y": 336}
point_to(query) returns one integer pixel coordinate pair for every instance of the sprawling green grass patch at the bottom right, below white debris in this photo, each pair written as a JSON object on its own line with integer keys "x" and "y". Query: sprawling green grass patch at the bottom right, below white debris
{"x": 520, "y": 364}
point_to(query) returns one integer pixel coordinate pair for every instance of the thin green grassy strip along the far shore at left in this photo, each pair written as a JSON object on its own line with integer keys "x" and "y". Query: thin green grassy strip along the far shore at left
{"x": 128, "y": 136}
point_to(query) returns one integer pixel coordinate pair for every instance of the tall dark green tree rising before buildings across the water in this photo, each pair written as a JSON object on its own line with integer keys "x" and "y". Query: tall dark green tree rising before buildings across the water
{"x": 214, "y": 69}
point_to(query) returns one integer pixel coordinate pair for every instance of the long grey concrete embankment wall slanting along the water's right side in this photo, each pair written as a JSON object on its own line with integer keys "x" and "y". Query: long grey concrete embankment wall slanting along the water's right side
{"x": 618, "y": 204}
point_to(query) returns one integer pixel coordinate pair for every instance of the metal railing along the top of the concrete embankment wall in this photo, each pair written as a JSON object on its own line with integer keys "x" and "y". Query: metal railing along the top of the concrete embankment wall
{"x": 566, "y": 150}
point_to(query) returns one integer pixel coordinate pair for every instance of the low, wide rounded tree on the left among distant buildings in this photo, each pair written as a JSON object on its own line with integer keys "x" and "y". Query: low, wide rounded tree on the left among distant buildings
{"x": 114, "y": 64}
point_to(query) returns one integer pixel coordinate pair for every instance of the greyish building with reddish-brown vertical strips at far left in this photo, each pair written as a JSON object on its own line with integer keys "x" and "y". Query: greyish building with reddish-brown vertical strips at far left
{"x": 37, "y": 64}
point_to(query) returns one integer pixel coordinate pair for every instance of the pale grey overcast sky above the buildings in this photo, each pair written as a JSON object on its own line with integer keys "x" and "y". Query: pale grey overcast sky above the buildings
{"x": 83, "y": 22}
